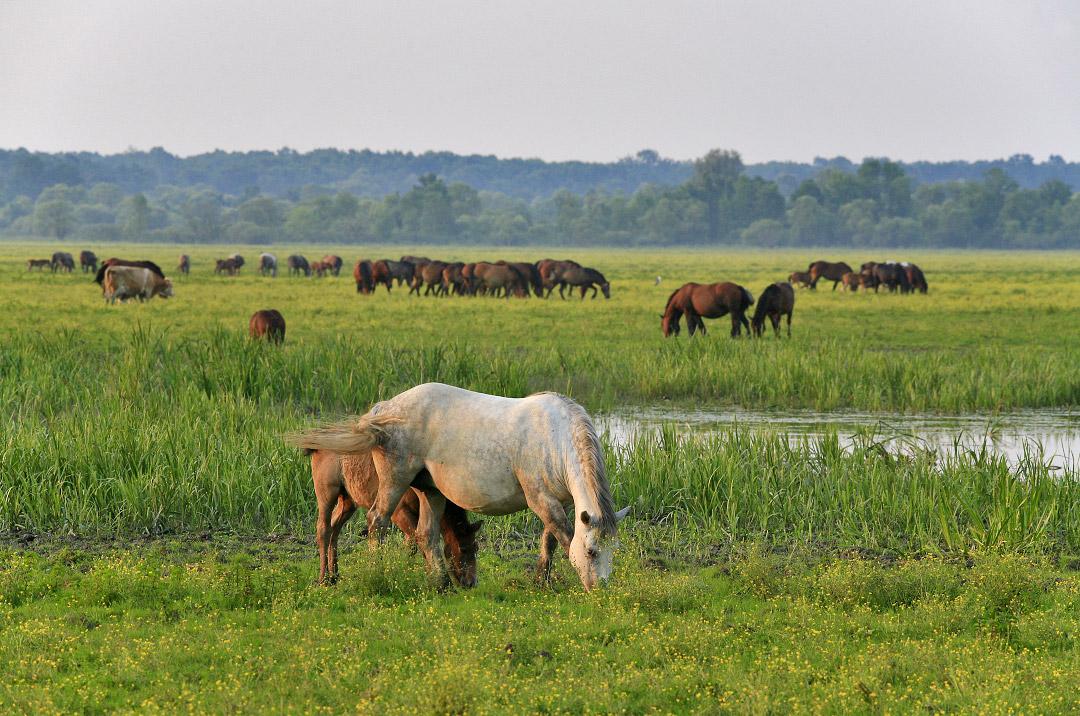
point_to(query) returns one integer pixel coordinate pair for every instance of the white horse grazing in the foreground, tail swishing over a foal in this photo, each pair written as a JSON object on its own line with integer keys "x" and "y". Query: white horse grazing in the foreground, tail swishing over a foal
{"x": 490, "y": 455}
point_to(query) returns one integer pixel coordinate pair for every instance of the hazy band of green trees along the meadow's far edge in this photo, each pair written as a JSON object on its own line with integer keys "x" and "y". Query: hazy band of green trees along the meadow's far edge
{"x": 718, "y": 202}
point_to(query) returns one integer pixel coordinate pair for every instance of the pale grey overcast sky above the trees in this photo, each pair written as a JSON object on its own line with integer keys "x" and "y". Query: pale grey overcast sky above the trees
{"x": 585, "y": 80}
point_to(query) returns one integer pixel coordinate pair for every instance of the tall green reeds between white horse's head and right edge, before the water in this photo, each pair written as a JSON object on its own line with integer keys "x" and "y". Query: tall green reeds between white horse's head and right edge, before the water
{"x": 737, "y": 485}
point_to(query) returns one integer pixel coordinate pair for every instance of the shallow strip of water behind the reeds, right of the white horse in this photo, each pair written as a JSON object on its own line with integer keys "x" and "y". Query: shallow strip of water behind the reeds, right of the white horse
{"x": 1055, "y": 435}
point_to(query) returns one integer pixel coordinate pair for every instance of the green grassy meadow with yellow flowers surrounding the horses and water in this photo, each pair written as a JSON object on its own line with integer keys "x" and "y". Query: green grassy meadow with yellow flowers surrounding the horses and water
{"x": 736, "y": 589}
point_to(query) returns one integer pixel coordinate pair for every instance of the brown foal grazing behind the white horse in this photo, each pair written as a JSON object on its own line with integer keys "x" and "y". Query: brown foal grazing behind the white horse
{"x": 350, "y": 482}
